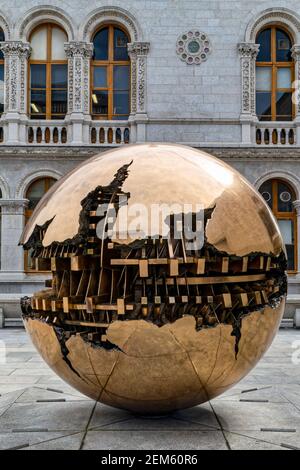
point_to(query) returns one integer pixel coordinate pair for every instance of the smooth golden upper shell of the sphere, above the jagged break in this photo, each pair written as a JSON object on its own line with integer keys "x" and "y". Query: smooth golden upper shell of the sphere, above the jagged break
{"x": 165, "y": 173}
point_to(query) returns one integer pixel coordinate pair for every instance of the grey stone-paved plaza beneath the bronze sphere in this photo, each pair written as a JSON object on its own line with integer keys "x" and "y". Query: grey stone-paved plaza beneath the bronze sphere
{"x": 40, "y": 411}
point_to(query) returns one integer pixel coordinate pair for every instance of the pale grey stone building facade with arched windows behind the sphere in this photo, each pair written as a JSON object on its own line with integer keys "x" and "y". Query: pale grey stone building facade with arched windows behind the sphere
{"x": 194, "y": 79}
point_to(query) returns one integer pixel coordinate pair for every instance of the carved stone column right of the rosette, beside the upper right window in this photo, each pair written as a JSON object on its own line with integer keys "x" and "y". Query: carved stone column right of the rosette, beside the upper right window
{"x": 248, "y": 53}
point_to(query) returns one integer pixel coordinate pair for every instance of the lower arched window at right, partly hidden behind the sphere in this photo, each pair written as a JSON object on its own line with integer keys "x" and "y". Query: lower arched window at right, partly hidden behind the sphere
{"x": 280, "y": 196}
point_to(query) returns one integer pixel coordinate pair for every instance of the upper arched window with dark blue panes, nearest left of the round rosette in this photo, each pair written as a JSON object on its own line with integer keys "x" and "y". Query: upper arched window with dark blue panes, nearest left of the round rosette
{"x": 110, "y": 97}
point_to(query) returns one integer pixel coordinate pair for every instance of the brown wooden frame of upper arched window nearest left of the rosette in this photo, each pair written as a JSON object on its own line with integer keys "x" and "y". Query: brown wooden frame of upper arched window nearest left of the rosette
{"x": 109, "y": 63}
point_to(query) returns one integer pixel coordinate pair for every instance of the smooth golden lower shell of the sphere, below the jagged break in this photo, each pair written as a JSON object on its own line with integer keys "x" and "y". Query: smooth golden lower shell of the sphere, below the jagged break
{"x": 159, "y": 369}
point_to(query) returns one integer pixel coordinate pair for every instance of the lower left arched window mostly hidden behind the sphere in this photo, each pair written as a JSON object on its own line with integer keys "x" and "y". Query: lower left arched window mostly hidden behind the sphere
{"x": 34, "y": 194}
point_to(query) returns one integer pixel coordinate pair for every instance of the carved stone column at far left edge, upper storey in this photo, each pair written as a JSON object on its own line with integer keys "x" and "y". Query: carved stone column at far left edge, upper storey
{"x": 16, "y": 54}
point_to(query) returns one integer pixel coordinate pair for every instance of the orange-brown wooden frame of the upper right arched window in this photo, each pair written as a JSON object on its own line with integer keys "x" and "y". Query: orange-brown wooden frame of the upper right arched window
{"x": 274, "y": 65}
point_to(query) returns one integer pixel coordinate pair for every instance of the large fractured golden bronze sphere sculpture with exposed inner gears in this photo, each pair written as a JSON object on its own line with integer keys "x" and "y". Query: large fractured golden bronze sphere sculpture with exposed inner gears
{"x": 144, "y": 319}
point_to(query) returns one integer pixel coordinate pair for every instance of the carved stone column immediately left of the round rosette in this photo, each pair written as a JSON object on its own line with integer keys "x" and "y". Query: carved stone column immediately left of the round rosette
{"x": 138, "y": 52}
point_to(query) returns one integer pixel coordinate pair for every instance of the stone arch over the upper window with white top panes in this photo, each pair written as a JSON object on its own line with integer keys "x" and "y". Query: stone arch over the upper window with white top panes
{"x": 43, "y": 14}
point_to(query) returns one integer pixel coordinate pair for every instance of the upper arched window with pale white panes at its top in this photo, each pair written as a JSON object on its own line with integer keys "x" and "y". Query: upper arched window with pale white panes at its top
{"x": 48, "y": 70}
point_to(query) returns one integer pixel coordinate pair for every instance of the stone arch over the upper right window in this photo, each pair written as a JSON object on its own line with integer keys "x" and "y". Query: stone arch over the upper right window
{"x": 280, "y": 16}
